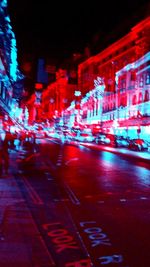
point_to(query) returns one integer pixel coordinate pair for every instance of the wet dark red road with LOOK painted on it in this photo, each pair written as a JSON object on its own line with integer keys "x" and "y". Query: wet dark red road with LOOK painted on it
{"x": 92, "y": 208}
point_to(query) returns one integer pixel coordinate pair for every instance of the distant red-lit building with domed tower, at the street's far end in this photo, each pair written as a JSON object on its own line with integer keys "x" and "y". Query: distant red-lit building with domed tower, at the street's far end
{"x": 50, "y": 103}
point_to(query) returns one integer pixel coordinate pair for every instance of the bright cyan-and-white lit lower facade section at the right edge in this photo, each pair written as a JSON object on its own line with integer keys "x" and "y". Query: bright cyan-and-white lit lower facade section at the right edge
{"x": 133, "y": 102}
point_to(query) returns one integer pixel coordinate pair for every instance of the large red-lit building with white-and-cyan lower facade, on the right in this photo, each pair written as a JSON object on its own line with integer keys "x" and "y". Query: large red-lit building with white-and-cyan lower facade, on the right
{"x": 124, "y": 108}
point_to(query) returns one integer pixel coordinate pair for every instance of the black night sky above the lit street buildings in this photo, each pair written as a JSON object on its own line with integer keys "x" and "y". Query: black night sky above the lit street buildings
{"x": 56, "y": 29}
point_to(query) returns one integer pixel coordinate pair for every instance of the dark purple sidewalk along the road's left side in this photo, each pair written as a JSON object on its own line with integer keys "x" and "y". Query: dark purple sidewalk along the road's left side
{"x": 20, "y": 241}
